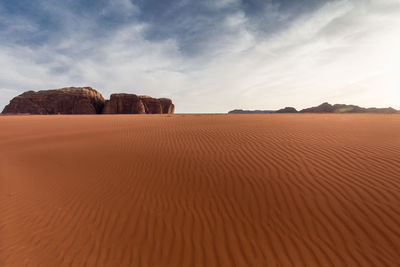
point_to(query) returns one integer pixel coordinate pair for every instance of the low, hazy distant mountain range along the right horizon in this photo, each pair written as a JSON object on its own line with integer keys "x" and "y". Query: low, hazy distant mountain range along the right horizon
{"x": 323, "y": 108}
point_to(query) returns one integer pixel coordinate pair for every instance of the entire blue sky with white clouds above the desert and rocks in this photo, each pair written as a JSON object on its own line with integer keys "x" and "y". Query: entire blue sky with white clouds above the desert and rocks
{"x": 208, "y": 56}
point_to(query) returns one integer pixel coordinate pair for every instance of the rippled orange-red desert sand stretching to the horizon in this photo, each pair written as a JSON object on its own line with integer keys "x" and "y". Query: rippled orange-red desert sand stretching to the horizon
{"x": 200, "y": 190}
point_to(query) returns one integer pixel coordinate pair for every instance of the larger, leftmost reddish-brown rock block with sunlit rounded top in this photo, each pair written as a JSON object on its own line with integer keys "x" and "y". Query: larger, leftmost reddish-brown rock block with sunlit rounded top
{"x": 72, "y": 100}
